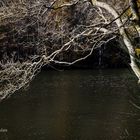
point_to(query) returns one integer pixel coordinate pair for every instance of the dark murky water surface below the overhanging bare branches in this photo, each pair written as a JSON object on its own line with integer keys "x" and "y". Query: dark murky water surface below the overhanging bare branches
{"x": 74, "y": 105}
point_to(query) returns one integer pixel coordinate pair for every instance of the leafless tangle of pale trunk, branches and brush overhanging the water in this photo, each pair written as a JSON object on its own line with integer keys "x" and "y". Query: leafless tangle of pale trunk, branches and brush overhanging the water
{"x": 44, "y": 32}
